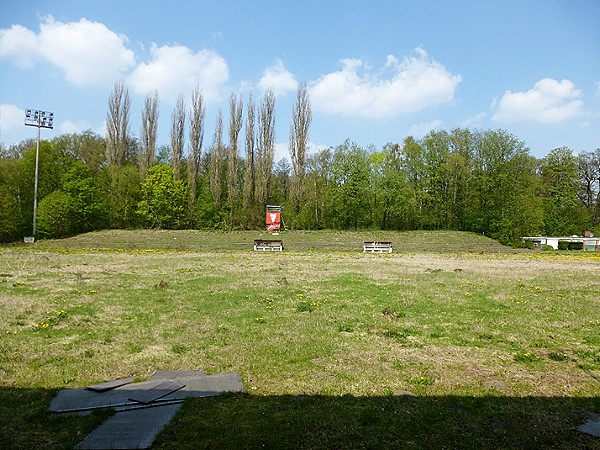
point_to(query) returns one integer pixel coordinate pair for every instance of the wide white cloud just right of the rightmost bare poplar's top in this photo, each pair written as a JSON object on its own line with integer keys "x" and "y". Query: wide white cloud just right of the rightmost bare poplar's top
{"x": 415, "y": 83}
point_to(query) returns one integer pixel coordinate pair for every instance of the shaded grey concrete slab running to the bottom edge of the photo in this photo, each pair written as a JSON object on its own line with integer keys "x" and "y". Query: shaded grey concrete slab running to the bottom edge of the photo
{"x": 135, "y": 429}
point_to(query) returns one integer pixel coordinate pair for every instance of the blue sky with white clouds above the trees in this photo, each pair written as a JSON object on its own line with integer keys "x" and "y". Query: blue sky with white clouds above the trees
{"x": 377, "y": 71}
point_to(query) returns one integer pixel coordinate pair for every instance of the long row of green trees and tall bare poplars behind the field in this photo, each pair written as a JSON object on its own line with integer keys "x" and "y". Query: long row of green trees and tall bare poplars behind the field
{"x": 483, "y": 181}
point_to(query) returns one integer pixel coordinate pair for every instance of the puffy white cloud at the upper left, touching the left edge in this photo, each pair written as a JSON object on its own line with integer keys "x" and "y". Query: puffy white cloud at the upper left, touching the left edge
{"x": 88, "y": 52}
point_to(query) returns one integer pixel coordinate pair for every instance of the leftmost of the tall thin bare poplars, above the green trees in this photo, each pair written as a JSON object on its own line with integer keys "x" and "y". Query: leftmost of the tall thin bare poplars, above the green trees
{"x": 117, "y": 124}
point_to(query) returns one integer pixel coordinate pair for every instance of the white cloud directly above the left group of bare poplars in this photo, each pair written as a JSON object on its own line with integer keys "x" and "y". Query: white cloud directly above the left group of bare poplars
{"x": 176, "y": 70}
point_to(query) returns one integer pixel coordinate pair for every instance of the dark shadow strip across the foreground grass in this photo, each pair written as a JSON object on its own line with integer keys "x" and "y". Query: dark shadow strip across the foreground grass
{"x": 233, "y": 421}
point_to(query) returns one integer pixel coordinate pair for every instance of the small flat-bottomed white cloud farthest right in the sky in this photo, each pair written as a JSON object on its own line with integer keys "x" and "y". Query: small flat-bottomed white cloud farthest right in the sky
{"x": 549, "y": 101}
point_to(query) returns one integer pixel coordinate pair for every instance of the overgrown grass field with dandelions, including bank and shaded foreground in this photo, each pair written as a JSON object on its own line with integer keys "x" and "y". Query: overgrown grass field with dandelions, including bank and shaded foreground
{"x": 452, "y": 341}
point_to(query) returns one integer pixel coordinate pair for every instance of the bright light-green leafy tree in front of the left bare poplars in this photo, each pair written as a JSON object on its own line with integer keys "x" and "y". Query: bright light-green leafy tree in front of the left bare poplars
{"x": 164, "y": 203}
